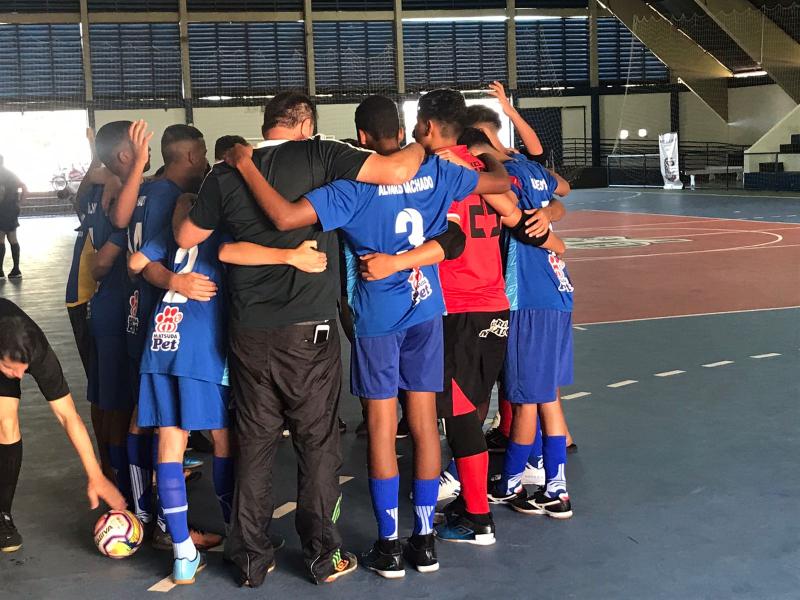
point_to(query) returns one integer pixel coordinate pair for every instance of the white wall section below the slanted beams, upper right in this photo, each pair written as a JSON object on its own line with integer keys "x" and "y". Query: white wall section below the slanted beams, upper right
{"x": 752, "y": 111}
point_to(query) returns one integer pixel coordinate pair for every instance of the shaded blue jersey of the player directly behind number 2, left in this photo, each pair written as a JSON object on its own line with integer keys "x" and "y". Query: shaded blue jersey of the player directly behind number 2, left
{"x": 153, "y": 213}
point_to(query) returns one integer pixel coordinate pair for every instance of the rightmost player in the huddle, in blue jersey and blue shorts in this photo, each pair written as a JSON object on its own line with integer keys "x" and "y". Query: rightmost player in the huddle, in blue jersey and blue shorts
{"x": 539, "y": 357}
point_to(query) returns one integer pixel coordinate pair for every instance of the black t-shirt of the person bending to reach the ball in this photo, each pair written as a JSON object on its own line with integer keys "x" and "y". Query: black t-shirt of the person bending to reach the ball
{"x": 44, "y": 366}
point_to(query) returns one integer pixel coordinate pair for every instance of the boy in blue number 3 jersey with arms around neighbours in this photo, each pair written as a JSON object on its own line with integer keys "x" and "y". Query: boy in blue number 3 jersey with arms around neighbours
{"x": 398, "y": 326}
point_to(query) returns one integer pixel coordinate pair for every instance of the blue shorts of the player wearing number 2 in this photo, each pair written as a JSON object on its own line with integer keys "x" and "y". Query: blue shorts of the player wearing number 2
{"x": 190, "y": 404}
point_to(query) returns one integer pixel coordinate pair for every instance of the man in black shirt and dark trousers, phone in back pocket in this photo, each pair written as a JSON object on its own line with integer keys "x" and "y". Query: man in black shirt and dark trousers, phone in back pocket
{"x": 285, "y": 357}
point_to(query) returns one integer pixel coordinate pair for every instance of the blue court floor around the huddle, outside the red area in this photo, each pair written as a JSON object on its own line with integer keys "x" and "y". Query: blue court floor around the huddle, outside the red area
{"x": 685, "y": 484}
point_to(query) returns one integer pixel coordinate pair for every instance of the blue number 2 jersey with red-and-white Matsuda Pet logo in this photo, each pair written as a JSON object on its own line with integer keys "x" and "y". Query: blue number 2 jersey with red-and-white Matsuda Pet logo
{"x": 187, "y": 338}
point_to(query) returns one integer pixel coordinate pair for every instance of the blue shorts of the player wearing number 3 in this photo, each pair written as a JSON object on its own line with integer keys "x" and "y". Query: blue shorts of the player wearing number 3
{"x": 412, "y": 360}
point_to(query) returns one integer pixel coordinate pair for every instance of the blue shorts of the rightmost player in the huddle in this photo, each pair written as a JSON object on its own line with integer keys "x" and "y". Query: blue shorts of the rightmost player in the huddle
{"x": 539, "y": 356}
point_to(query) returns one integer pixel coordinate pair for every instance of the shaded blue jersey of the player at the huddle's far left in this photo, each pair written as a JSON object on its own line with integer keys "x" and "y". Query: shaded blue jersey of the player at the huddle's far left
{"x": 107, "y": 306}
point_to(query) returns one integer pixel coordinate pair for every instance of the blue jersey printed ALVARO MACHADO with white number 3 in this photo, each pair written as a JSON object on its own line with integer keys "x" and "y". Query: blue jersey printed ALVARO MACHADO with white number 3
{"x": 393, "y": 219}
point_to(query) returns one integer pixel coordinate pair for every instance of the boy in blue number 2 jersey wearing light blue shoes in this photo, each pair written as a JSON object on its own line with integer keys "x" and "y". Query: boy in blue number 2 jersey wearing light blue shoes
{"x": 184, "y": 383}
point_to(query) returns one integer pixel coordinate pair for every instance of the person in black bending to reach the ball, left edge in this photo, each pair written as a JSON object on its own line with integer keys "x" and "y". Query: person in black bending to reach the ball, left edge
{"x": 24, "y": 349}
